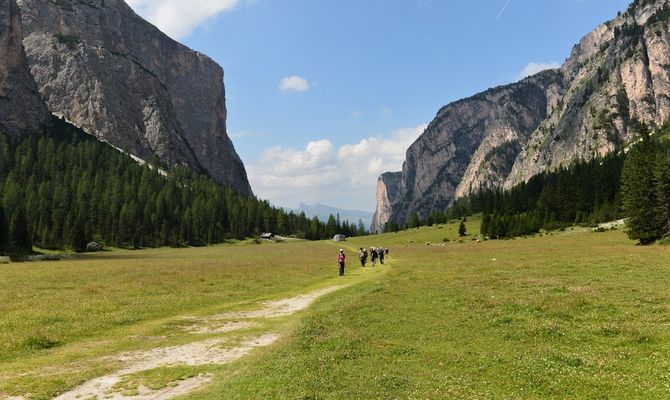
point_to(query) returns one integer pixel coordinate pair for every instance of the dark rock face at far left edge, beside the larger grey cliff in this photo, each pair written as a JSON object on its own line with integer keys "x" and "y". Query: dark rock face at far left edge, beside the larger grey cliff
{"x": 21, "y": 109}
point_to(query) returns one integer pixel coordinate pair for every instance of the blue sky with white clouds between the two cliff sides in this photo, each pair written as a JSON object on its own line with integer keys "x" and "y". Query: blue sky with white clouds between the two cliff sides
{"x": 323, "y": 96}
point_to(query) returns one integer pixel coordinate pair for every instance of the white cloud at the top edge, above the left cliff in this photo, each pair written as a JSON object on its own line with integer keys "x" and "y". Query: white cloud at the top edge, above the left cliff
{"x": 179, "y": 18}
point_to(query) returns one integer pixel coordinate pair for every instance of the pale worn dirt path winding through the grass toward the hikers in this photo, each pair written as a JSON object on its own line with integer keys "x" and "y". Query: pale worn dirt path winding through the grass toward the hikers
{"x": 197, "y": 353}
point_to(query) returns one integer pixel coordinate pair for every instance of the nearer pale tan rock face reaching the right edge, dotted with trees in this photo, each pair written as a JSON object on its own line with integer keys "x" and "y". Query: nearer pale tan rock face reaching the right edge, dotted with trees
{"x": 618, "y": 74}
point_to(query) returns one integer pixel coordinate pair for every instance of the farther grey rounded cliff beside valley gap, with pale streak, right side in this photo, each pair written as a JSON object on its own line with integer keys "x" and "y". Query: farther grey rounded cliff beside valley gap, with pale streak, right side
{"x": 473, "y": 143}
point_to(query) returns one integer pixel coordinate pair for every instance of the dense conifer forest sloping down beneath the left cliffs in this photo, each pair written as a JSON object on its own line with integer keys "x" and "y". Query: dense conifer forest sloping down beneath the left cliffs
{"x": 65, "y": 188}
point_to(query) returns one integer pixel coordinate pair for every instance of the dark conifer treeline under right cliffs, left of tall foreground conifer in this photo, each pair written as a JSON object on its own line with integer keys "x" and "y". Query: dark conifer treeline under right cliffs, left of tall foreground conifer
{"x": 586, "y": 193}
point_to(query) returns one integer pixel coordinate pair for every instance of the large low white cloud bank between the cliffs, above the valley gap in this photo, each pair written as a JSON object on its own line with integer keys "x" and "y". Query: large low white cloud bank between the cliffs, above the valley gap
{"x": 323, "y": 173}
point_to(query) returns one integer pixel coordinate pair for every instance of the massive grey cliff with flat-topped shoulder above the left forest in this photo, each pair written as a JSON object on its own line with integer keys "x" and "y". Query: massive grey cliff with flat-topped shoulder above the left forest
{"x": 118, "y": 77}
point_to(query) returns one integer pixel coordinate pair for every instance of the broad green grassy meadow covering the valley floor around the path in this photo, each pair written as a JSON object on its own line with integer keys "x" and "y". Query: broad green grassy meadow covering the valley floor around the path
{"x": 574, "y": 314}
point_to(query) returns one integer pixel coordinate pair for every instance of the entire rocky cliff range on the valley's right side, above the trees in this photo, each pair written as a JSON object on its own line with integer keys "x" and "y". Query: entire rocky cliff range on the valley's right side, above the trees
{"x": 616, "y": 77}
